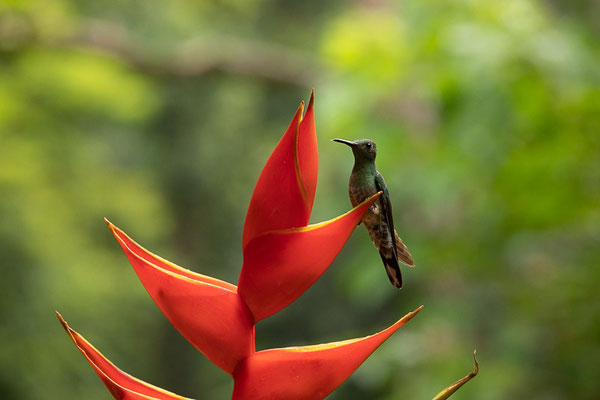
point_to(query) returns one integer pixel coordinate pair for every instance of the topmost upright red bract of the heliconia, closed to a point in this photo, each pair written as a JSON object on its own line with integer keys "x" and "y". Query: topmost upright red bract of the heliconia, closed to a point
{"x": 284, "y": 194}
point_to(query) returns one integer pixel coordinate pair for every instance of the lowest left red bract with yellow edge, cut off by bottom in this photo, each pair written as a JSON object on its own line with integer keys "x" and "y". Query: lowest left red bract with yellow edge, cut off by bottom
{"x": 120, "y": 384}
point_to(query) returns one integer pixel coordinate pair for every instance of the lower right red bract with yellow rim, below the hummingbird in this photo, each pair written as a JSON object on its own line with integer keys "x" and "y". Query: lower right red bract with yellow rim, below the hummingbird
{"x": 305, "y": 373}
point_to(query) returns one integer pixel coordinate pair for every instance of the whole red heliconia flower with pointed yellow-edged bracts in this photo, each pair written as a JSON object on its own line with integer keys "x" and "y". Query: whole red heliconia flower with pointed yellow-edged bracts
{"x": 283, "y": 257}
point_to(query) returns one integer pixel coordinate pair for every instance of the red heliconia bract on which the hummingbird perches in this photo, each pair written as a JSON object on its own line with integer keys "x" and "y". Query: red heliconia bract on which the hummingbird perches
{"x": 281, "y": 265}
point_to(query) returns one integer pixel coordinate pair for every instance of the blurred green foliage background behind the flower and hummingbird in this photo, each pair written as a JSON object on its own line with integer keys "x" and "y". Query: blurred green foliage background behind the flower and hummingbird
{"x": 160, "y": 116}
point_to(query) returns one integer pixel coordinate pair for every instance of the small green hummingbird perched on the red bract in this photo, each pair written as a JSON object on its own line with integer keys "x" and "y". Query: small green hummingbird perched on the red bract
{"x": 365, "y": 181}
